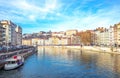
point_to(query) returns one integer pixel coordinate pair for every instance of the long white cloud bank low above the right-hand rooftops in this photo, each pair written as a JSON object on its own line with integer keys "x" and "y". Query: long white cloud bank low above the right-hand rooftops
{"x": 102, "y": 18}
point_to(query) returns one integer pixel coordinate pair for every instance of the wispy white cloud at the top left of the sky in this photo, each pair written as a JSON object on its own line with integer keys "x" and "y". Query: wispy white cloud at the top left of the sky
{"x": 28, "y": 8}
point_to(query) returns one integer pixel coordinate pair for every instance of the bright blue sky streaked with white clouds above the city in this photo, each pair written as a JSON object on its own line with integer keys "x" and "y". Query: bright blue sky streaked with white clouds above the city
{"x": 60, "y": 15}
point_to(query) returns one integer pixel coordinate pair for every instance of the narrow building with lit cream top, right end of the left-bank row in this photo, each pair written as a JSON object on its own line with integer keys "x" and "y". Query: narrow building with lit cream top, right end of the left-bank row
{"x": 18, "y": 35}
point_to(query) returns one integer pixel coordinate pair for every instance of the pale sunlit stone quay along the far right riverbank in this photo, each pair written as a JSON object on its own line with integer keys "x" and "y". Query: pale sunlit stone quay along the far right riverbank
{"x": 91, "y": 48}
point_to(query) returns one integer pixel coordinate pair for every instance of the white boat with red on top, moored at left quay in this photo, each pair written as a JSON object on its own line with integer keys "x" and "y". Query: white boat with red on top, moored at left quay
{"x": 14, "y": 62}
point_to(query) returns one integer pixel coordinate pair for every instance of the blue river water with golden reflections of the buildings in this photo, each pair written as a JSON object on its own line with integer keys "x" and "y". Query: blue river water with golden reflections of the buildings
{"x": 55, "y": 62}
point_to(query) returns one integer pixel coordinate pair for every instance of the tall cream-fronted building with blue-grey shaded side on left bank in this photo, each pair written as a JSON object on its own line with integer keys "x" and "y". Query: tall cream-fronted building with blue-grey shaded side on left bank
{"x": 11, "y": 37}
